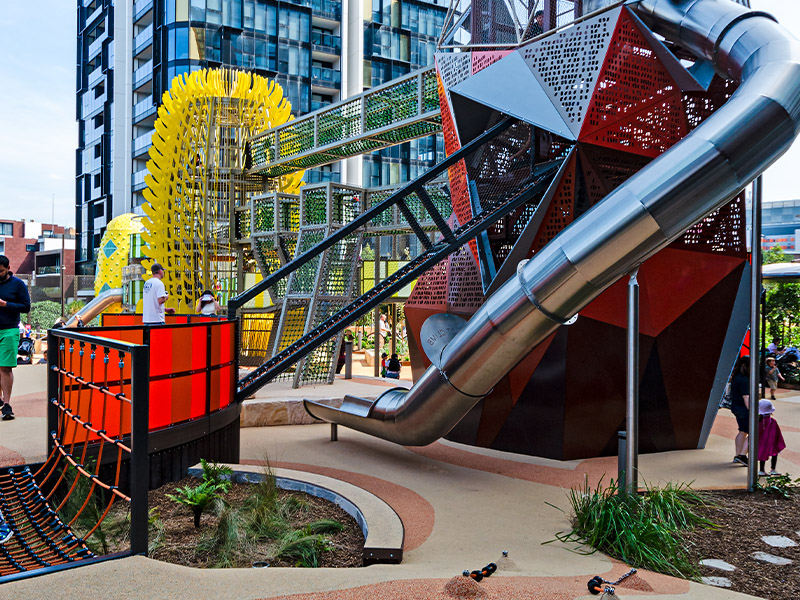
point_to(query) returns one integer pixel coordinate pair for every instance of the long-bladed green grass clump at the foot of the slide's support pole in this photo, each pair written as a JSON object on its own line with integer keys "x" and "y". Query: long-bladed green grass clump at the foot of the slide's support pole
{"x": 643, "y": 530}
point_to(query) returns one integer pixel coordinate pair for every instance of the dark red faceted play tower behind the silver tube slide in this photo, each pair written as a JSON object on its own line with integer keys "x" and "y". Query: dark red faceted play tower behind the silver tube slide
{"x": 626, "y": 100}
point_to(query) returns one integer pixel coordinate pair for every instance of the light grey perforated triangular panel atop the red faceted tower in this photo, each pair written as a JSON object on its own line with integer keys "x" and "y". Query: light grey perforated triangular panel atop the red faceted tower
{"x": 567, "y": 64}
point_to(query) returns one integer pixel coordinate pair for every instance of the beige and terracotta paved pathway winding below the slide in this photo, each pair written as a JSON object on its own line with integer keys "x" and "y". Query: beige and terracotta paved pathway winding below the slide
{"x": 460, "y": 507}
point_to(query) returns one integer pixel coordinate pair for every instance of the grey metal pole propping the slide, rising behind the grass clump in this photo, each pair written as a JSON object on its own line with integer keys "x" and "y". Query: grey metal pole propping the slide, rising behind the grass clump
{"x": 632, "y": 389}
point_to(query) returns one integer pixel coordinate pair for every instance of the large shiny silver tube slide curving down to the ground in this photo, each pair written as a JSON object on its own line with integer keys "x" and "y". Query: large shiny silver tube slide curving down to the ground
{"x": 654, "y": 207}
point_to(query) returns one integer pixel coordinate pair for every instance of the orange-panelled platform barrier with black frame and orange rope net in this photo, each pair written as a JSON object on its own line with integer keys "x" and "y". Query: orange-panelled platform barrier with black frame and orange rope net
{"x": 129, "y": 407}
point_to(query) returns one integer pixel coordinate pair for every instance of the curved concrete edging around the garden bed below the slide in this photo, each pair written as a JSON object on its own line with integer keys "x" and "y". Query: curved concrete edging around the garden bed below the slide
{"x": 382, "y": 528}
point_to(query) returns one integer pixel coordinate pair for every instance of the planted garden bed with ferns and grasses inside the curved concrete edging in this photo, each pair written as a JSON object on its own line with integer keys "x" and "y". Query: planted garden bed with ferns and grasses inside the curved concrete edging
{"x": 253, "y": 524}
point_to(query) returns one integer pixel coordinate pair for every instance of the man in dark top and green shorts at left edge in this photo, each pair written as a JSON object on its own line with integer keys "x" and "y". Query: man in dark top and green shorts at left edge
{"x": 14, "y": 299}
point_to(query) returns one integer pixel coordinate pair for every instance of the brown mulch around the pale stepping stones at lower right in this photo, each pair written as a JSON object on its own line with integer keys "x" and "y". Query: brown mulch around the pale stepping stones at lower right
{"x": 745, "y": 517}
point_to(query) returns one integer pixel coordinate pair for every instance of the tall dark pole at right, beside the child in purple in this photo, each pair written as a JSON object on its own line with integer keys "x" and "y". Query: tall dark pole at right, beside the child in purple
{"x": 755, "y": 299}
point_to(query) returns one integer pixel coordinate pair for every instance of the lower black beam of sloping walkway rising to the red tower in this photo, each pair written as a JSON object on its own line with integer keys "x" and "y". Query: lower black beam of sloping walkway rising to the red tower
{"x": 454, "y": 240}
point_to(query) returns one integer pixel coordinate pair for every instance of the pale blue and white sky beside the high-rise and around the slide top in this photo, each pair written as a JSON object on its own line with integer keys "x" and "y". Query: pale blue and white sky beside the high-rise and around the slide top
{"x": 39, "y": 133}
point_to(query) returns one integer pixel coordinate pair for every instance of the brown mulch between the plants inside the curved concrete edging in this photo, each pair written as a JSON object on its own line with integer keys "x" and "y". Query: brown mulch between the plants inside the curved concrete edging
{"x": 180, "y": 537}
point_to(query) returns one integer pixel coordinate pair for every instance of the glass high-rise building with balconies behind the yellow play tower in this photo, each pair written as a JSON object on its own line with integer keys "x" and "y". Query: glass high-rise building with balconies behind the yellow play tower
{"x": 318, "y": 50}
